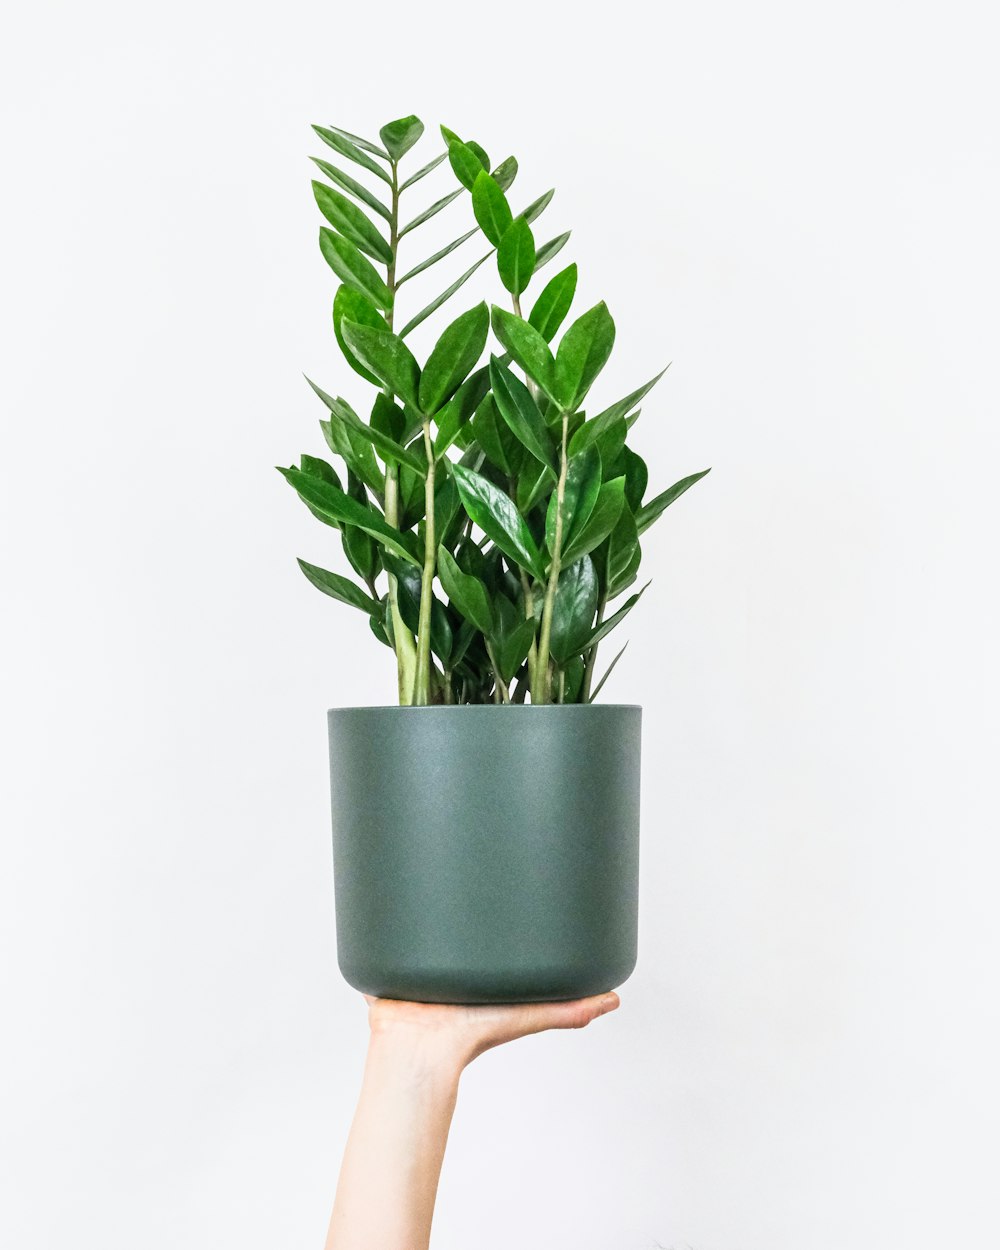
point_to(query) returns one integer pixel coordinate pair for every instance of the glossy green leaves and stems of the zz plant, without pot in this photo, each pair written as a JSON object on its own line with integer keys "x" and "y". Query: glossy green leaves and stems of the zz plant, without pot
{"x": 489, "y": 521}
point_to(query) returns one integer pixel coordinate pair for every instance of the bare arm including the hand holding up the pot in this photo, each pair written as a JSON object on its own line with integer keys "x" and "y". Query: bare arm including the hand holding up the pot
{"x": 397, "y": 1146}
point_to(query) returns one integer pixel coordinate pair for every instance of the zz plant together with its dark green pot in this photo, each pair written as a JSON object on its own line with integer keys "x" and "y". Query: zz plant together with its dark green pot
{"x": 487, "y": 829}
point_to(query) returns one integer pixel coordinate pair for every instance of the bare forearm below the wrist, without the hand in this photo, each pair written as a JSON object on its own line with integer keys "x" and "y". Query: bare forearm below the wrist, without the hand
{"x": 397, "y": 1144}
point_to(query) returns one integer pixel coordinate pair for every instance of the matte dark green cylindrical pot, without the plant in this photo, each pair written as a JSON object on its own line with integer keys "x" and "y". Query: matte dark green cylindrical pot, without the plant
{"x": 486, "y": 854}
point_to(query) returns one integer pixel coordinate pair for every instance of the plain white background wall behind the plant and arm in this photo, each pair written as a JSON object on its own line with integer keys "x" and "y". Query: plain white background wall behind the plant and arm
{"x": 796, "y": 204}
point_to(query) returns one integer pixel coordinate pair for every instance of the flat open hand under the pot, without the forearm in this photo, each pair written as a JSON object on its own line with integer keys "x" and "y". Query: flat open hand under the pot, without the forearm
{"x": 462, "y": 1033}
